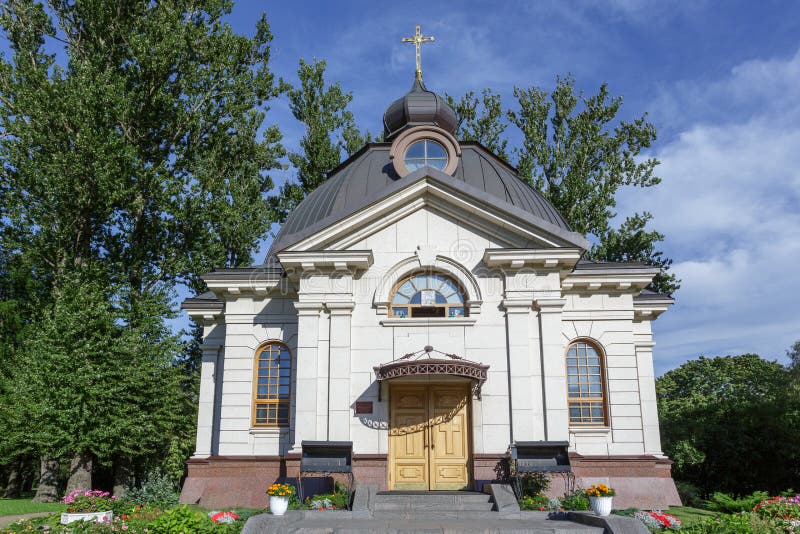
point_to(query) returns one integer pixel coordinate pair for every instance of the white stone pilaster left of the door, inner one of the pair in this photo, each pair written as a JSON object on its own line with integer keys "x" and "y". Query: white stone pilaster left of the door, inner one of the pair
{"x": 339, "y": 370}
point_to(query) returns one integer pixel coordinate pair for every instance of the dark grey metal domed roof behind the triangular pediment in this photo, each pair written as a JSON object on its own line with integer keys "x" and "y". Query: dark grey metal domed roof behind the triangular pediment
{"x": 369, "y": 176}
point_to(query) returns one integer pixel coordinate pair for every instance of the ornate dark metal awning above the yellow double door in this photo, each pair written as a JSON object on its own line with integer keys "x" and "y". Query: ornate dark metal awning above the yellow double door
{"x": 422, "y": 363}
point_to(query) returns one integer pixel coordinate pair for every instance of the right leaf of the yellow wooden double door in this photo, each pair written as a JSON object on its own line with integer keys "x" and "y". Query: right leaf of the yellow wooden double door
{"x": 449, "y": 452}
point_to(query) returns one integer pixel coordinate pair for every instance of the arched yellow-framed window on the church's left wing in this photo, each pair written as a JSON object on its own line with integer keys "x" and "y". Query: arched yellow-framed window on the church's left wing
{"x": 273, "y": 377}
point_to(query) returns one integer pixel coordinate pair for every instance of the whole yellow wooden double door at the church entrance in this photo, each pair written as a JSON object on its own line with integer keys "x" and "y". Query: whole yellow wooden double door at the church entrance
{"x": 429, "y": 437}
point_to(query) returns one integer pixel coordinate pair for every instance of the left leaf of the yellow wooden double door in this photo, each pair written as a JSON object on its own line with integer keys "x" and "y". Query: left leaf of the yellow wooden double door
{"x": 408, "y": 438}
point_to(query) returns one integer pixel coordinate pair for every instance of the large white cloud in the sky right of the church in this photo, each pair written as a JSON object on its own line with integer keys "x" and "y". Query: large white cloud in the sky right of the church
{"x": 729, "y": 205}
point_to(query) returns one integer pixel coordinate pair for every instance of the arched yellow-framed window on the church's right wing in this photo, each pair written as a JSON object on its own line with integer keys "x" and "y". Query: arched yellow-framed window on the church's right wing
{"x": 585, "y": 385}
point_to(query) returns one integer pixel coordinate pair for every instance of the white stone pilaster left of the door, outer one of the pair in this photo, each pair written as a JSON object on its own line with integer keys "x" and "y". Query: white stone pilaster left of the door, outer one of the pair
{"x": 305, "y": 390}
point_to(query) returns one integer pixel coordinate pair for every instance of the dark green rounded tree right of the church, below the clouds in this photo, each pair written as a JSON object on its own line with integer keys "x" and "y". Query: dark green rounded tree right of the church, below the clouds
{"x": 715, "y": 414}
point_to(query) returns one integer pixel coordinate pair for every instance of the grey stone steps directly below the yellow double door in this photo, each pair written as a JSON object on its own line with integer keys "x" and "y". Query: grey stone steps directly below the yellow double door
{"x": 432, "y": 505}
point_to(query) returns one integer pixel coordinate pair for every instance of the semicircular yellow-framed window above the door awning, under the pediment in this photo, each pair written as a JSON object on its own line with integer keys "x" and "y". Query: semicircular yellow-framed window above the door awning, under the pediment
{"x": 428, "y": 295}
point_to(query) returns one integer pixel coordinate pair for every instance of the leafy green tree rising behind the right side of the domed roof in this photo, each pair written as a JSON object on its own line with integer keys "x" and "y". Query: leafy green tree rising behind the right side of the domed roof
{"x": 578, "y": 154}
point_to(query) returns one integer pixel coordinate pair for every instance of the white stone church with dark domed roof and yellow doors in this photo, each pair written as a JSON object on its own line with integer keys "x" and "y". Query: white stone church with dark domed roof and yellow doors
{"x": 430, "y": 307}
